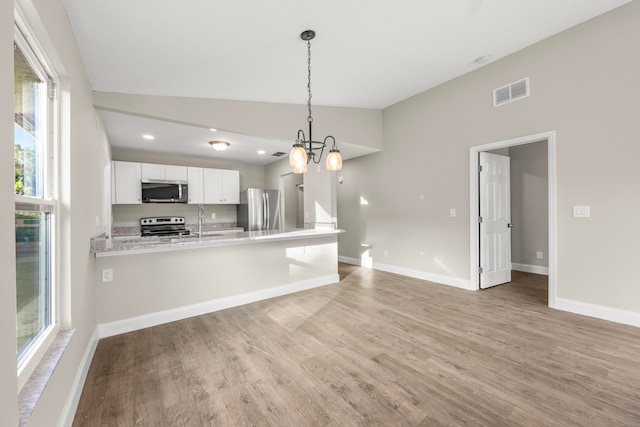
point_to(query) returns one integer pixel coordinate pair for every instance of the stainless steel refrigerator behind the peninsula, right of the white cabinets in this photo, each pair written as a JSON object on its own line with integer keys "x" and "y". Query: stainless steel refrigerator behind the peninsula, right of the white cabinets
{"x": 259, "y": 209}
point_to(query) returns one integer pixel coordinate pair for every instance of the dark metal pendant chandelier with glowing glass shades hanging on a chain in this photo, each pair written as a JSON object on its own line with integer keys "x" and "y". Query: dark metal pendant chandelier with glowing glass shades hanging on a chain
{"x": 306, "y": 150}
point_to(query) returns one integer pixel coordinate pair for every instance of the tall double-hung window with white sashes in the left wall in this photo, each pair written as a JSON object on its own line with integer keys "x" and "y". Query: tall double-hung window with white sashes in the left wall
{"x": 35, "y": 205}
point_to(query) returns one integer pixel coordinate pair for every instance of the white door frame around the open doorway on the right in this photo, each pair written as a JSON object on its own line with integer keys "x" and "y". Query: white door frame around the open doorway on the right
{"x": 474, "y": 238}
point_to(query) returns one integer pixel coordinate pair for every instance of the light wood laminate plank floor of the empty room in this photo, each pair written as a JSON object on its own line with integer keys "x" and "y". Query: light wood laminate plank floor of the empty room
{"x": 375, "y": 349}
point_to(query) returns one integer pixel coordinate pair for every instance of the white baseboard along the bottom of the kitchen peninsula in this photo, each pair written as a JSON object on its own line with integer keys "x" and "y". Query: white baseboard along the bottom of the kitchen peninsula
{"x": 166, "y": 316}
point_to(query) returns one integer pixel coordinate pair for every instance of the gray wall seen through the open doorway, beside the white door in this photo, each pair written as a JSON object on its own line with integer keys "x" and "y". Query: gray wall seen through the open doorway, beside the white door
{"x": 529, "y": 204}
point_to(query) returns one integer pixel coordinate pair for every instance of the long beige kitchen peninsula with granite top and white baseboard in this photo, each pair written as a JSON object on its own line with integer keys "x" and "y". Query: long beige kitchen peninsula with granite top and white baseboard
{"x": 143, "y": 283}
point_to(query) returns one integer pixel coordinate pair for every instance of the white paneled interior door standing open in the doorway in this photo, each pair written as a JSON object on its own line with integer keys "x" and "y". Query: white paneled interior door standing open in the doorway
{"x": 495, "y": 220}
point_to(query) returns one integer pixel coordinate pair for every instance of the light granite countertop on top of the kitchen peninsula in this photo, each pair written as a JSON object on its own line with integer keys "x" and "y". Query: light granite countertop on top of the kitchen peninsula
{"x": 103, "y": 246}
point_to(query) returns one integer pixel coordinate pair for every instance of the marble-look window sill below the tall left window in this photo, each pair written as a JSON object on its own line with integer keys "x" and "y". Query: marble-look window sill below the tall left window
{"x": 36, "y": 383}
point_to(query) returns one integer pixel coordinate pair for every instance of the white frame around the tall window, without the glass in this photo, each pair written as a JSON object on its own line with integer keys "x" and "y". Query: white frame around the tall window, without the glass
{"x": 27, "y": 43}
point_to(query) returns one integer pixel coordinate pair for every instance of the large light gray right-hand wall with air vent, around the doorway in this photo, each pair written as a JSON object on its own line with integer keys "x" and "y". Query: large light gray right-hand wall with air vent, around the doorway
{"x": 584, "y": 86}
